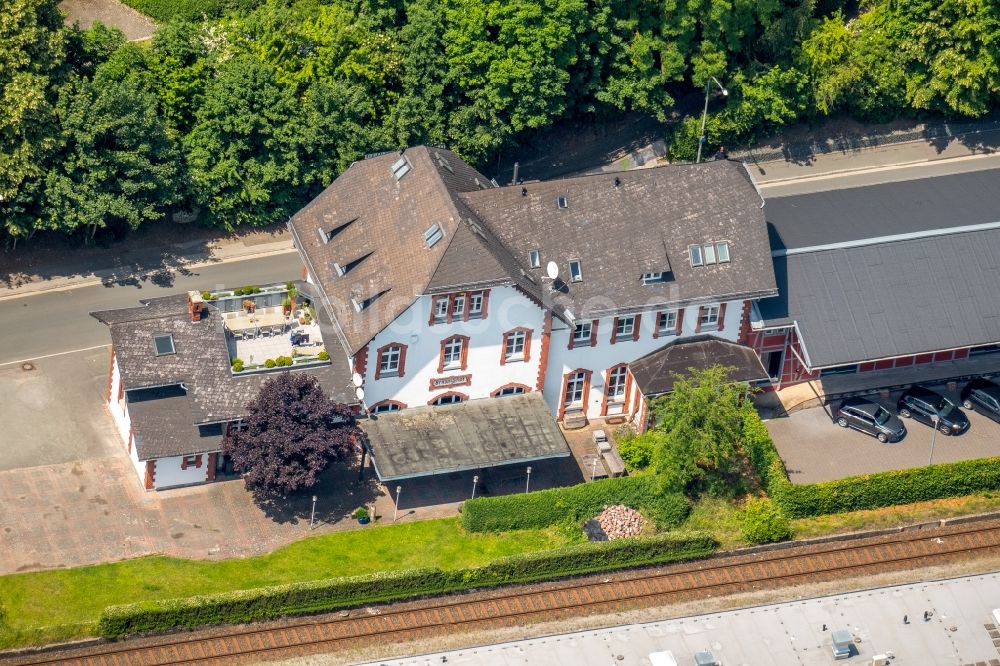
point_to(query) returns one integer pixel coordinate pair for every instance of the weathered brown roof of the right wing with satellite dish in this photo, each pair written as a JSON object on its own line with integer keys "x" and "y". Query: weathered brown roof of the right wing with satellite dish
{"x": 643, "y": 225}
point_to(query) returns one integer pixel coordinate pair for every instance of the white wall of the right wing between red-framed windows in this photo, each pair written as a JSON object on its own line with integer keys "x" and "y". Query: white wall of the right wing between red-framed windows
{"x": 605, "y": 355}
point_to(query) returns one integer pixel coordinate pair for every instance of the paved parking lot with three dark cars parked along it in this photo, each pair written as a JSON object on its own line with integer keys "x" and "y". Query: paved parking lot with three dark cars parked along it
{"x": 815, "y": 449}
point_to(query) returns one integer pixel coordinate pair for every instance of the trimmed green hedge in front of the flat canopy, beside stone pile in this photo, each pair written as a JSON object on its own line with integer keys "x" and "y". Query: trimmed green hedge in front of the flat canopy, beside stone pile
{"x": 574, "y": 503}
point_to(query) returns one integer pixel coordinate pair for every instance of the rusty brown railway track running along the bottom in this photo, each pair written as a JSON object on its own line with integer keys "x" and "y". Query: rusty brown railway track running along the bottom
{"x": 519, "y": 605}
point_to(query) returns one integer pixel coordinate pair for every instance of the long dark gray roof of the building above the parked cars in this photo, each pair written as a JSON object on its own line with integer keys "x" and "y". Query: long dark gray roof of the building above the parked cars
{"x": 889, "y": 270}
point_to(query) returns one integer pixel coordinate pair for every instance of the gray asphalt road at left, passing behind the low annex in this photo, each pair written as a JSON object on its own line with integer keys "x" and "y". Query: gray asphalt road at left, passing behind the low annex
{"x": 59, "y": 321}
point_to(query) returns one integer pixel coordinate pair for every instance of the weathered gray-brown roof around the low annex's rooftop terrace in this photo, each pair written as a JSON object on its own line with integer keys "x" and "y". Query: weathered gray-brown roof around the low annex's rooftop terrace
{"x": 201, "y": 364}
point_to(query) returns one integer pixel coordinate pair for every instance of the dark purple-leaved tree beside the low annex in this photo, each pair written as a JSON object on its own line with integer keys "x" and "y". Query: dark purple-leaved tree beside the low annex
{"x": 293, "y": 432}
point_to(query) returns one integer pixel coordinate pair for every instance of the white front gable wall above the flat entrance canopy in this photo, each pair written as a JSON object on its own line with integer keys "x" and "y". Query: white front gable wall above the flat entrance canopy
{"x": 506, "y": 309}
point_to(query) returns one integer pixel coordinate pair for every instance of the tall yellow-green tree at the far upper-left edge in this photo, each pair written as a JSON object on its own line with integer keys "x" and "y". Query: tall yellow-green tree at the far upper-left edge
{"x": 32, "y": 44}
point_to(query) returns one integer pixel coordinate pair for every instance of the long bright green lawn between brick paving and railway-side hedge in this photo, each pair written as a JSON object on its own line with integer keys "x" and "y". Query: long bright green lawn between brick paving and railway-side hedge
{"x": 55, "y": 605}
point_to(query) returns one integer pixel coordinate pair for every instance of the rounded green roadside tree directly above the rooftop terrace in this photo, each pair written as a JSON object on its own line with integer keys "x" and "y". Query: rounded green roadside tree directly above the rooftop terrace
{"x": 244, "y": 151}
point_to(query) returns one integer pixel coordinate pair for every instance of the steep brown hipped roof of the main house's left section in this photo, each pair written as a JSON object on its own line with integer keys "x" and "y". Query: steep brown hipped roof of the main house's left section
{"x": 388, "y": 219}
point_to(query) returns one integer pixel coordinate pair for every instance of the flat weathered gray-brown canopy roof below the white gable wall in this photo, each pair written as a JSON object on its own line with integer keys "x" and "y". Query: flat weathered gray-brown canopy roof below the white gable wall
{"x": 489, "y": 432}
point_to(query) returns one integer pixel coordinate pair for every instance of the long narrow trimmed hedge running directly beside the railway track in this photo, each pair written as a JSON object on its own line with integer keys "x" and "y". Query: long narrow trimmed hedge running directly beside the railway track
{"x": 325, "y": 595}
